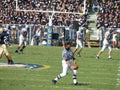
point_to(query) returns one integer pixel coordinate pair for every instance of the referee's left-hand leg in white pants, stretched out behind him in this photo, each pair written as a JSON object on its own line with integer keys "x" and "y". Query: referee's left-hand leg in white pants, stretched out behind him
{"x": 64, "y": 72}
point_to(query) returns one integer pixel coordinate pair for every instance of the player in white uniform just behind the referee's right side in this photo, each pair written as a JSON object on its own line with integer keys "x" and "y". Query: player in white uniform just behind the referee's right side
{"x": 79, "y": 40}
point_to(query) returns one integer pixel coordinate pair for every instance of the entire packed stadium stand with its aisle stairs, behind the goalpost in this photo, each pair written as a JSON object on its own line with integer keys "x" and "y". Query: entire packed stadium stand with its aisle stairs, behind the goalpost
{"x": 107, "y": 14}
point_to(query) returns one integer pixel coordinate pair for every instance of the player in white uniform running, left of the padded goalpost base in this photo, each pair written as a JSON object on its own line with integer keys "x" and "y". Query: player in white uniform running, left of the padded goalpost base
{"x": 22, "y": 41}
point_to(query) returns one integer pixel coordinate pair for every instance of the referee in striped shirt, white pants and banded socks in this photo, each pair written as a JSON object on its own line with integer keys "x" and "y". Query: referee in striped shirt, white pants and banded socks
{"x": 68, "y": 62}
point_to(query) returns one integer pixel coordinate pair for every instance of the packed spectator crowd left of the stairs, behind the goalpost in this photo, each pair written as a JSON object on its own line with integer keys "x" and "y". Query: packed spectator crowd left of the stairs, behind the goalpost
{"x": 9, "y": 15}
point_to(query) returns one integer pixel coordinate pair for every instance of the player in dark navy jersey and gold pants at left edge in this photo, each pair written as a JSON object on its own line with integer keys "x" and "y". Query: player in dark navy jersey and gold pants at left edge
{"x": 3, "y": 47}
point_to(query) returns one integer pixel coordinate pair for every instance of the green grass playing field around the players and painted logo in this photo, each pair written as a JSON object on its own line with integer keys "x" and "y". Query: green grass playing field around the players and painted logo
{"x": 93, "y": 74}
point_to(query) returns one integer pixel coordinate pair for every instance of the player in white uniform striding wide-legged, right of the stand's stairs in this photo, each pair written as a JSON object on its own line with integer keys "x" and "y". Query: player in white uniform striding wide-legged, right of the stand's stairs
{"x": 106, "y": 43}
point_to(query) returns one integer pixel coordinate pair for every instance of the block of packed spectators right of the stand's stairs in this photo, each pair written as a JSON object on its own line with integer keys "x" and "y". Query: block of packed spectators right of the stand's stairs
{"x": 108, "y": 14}
